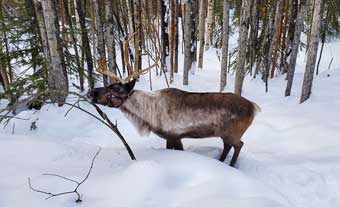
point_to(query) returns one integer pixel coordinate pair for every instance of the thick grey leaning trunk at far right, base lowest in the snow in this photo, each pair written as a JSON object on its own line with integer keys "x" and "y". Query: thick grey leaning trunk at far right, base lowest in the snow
{"x": 312, "y": 53}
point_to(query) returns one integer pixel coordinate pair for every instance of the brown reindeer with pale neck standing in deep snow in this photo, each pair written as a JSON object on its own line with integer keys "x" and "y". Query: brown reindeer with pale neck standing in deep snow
{"x": 174, "y": 114}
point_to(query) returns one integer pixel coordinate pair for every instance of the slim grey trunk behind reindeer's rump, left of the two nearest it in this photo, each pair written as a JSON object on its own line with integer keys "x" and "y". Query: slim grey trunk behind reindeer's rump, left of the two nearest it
{"x": 225, "y": 40}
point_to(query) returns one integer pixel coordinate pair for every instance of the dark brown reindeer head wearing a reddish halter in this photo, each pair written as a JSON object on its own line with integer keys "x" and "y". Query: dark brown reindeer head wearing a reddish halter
{"x": 113, "y": 95}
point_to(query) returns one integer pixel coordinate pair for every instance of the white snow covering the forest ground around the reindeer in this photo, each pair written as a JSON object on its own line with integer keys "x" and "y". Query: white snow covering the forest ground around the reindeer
{"x": 291, "y": 155}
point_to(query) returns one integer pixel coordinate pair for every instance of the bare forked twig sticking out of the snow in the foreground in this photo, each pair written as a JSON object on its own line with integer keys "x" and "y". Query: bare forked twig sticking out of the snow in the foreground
{"x": 75, "y": 191}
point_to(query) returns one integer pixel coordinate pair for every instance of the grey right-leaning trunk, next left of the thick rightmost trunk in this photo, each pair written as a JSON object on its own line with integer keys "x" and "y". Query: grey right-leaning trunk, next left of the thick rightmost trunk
{"x": 295, "y": 46}
